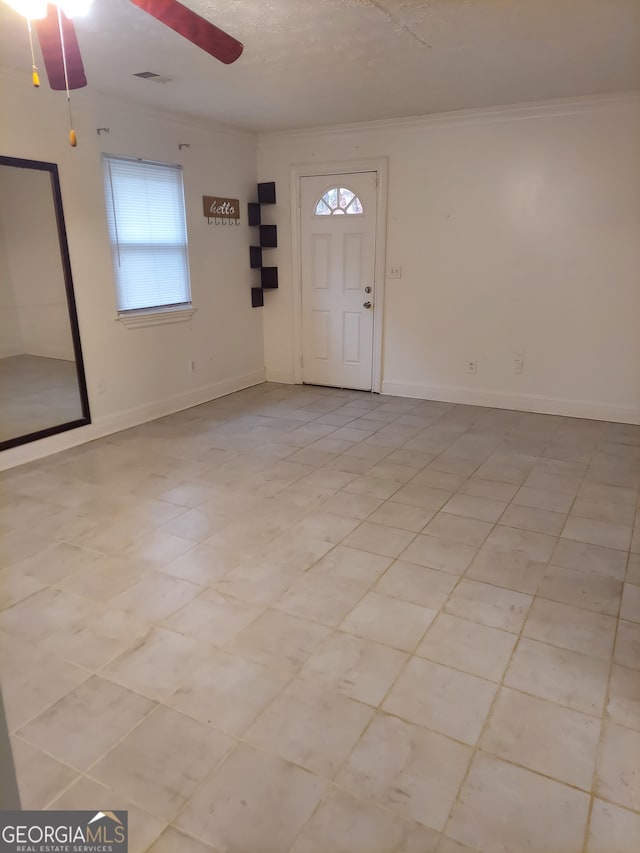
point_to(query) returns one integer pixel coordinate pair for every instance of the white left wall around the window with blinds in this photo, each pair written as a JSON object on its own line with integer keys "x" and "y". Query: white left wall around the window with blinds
{"x": 136, "y": 374}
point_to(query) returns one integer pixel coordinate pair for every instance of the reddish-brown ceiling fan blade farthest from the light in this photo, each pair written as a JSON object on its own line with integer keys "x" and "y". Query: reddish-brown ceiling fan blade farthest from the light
{"x": 197, "y": 30}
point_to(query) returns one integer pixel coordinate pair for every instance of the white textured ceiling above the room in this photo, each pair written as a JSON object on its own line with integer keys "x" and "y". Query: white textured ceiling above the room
{"x": 318, "y": 62}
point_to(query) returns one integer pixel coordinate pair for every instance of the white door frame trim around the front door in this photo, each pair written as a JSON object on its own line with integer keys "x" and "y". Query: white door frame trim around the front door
{"x": 380, "y": 165}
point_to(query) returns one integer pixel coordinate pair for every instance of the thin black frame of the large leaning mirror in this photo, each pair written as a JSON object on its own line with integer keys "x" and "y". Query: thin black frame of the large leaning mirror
{"x": 52, "y": 169}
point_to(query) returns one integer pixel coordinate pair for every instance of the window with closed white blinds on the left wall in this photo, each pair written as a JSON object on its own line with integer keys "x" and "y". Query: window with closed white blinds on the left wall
{"x": 148, "y": 232}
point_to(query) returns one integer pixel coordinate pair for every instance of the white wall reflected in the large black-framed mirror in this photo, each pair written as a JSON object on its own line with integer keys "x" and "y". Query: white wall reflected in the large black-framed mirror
{"x": 32, "y": 249}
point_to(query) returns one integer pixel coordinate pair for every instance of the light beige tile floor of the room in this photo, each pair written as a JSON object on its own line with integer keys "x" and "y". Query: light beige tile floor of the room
{"x": 310, "y": 620}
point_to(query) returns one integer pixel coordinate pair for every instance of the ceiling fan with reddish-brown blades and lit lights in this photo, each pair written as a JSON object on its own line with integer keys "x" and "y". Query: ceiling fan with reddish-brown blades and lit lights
{"x": 59, "y": 44}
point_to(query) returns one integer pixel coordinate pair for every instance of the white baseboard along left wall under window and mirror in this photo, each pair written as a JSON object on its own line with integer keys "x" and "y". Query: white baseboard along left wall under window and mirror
{"x": 109, "y": 424}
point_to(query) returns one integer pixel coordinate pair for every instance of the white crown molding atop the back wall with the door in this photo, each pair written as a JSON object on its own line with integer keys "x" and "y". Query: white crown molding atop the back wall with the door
{"x": 485, "y": 115}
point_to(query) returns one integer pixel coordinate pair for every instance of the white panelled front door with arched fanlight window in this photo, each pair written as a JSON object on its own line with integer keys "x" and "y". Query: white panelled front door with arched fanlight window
{"x": 338, "y": 246}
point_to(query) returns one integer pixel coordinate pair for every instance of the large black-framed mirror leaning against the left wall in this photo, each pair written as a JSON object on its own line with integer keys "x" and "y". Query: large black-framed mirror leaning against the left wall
{"x": 42, "y": 384}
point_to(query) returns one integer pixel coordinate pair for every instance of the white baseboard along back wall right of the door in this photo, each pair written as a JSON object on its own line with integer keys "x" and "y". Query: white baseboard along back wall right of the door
{"x": 517, "y": 402}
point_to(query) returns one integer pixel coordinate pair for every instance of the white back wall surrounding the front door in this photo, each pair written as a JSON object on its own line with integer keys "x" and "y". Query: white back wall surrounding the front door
{"x": 517, "y": 229}
